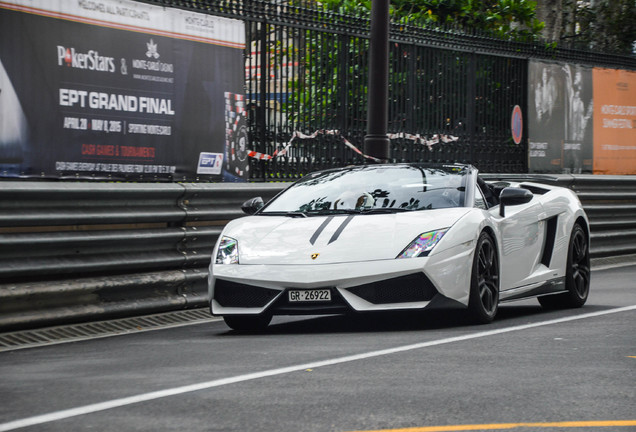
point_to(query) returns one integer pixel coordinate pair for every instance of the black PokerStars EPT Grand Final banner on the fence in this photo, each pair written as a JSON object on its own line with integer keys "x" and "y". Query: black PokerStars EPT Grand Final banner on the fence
{"x": 117, "y": 89}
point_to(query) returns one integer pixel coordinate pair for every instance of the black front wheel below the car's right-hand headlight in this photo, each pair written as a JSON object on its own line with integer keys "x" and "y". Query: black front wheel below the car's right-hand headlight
{"x": 483, "y": 302}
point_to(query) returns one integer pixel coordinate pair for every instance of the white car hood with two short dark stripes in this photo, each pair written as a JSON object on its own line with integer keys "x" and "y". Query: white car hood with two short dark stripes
{"x": 333, "y": 239}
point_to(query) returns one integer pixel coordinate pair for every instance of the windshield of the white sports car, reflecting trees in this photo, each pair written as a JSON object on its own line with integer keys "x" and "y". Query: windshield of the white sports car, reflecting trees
{"x": 373, "y": 189}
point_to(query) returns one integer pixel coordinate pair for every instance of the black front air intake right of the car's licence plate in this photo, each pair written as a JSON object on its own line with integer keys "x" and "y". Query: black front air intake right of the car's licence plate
{"x": 412, "y": 288}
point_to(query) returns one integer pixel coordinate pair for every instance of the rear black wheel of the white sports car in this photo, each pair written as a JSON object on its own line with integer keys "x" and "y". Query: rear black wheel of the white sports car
{"x": 577, "y": 275}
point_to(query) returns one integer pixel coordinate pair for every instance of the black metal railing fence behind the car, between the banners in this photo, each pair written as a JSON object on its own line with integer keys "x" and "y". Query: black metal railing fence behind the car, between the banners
{"x": 307, "y": 71}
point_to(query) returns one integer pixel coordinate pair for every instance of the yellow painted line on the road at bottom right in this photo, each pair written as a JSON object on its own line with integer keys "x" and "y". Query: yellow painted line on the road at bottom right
{"x": 495, "y": 426}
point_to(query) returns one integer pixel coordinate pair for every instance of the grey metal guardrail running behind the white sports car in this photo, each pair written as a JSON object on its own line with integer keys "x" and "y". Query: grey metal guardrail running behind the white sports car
{"x": 74, "y": 252}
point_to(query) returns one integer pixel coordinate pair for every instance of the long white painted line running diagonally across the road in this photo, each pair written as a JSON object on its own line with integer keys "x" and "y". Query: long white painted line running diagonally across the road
{"x": 115, "y": 403}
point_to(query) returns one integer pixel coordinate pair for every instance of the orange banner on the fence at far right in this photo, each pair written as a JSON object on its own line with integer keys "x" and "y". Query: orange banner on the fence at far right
{"x": 614, "y": 121}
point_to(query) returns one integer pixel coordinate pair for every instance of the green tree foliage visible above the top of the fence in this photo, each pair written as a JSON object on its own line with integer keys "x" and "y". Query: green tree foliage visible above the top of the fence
{"x": 602, "y": 25}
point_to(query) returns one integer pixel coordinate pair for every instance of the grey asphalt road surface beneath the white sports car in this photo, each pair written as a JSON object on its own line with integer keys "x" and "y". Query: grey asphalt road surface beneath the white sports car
{"x": 529, "y": 370}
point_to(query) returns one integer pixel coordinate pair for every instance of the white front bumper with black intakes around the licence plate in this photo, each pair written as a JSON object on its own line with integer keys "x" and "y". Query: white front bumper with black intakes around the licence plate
{"x": 363, "y": 286}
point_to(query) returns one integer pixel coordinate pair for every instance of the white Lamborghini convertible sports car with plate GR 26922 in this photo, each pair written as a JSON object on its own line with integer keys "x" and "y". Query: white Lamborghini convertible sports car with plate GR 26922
{"x": 397, "y": 237}
